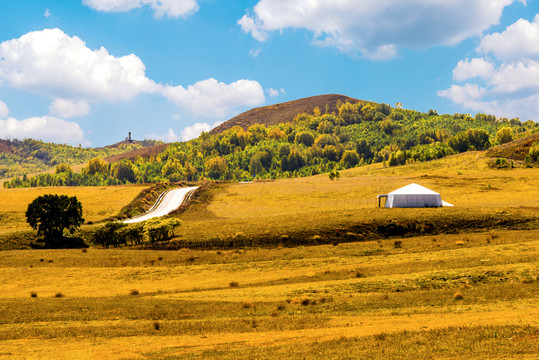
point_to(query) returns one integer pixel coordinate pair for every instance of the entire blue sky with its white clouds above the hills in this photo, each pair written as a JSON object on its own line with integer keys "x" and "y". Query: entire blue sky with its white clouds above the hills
{"x": 88, "y": 71}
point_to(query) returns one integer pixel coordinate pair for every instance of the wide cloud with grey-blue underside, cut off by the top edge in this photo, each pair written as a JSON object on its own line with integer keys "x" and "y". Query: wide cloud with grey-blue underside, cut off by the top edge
{"x": 376, "y": 29}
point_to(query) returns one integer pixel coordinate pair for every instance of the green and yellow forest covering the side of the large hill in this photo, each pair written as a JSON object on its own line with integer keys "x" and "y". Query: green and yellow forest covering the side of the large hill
{"x": 309, "y": 144}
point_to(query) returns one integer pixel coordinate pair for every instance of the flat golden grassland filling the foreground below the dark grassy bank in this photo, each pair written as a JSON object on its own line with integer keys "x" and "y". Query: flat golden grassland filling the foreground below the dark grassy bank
{"x": 349, "y": 300}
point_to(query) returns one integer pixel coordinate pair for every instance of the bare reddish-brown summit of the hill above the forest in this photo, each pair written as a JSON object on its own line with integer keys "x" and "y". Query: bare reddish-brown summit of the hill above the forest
{"x": 284, "y": 112}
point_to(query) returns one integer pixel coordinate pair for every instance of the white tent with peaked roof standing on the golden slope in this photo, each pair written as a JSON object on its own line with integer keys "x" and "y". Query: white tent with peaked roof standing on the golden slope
{"x": 413, "y": 195}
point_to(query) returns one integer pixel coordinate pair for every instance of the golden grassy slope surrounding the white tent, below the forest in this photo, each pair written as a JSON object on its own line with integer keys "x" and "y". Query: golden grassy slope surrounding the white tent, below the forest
{"x": 306, "y": 207}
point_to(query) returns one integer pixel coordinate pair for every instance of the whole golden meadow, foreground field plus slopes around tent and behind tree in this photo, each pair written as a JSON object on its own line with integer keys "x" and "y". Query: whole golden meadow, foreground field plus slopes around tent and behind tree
{"x": 459, "y": 283}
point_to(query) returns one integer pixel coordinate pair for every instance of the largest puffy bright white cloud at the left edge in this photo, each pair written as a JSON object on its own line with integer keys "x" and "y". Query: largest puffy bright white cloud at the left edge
{"x": 51, "y": 63}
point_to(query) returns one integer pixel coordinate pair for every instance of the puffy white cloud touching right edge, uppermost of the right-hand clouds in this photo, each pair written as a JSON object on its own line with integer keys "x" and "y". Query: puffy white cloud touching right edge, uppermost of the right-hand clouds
{"x": 517, "y": 41}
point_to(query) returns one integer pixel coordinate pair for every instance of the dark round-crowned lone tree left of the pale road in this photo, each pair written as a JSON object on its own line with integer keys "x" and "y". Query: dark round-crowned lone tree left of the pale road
{"x": 50, "y": 215}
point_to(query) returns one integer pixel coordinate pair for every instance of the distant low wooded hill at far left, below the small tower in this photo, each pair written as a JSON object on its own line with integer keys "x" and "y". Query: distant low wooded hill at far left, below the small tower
{"x": 33, "y": 156}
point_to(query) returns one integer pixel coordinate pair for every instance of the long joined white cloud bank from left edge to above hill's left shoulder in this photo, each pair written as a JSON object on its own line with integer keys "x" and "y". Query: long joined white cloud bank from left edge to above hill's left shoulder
{"x": 54, "y": 64}
